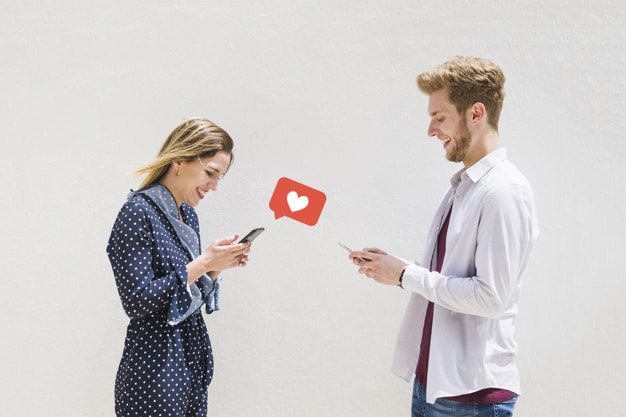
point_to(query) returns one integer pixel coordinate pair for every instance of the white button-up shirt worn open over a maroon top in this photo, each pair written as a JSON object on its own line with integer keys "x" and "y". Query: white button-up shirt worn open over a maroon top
{"x": 490, "y": 235}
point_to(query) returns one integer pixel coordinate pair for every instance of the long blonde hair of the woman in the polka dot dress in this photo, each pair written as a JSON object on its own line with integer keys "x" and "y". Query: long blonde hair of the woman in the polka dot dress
{"x": 193, "y": 138}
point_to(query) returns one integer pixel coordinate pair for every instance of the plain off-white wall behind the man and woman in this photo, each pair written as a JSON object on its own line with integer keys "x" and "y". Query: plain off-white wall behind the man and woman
{"x": 322, "y": 92}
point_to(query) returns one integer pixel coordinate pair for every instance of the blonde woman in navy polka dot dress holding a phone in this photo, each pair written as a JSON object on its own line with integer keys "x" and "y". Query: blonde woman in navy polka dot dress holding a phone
{"x": 163, "y": 277}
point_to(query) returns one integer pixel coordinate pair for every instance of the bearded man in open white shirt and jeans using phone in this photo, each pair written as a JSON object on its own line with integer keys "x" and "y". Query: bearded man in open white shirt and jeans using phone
{"x": 457, "y": 336}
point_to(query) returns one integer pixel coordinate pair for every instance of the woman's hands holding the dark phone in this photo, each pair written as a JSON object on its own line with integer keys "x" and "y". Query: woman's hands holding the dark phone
{"x": 222, "y": 254}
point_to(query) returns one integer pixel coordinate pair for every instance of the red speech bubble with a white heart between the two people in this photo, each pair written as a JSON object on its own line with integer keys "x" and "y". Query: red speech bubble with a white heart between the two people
{"x": 297, "y": 201}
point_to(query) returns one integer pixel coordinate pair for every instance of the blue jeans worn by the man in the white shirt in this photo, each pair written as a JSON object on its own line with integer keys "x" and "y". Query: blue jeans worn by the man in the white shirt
{"x": 447, "y": 408}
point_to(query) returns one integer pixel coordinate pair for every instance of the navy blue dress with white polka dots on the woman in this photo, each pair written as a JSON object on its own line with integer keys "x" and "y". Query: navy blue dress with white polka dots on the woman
{"x": 167, "y": 363}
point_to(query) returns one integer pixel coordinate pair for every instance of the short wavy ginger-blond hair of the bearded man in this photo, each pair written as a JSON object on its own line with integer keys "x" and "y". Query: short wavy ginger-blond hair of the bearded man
{"x": 470, "y": 80}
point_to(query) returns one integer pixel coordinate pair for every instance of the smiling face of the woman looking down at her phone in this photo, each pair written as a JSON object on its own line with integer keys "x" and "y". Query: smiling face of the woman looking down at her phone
{"x": 196, "y": 177}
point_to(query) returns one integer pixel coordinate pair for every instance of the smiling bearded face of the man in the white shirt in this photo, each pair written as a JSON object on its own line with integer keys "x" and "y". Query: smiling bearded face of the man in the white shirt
{"x": 448, "y": 126}
